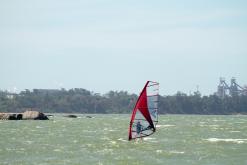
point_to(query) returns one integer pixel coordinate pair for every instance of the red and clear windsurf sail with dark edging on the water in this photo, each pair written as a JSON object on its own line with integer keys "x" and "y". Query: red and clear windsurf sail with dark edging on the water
{"x": 142, "y": 123}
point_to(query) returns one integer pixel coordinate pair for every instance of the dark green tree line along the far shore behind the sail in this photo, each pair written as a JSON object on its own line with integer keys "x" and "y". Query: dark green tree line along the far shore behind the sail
{"x": 80, "y": 100}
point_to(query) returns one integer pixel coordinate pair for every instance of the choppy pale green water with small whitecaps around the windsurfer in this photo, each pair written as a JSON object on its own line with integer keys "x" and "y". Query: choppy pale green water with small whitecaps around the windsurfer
{"x": 102, "y": 140}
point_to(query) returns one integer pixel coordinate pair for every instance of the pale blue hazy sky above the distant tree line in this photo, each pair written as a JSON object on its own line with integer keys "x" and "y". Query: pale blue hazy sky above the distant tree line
{"x": 103, "y": 45}
